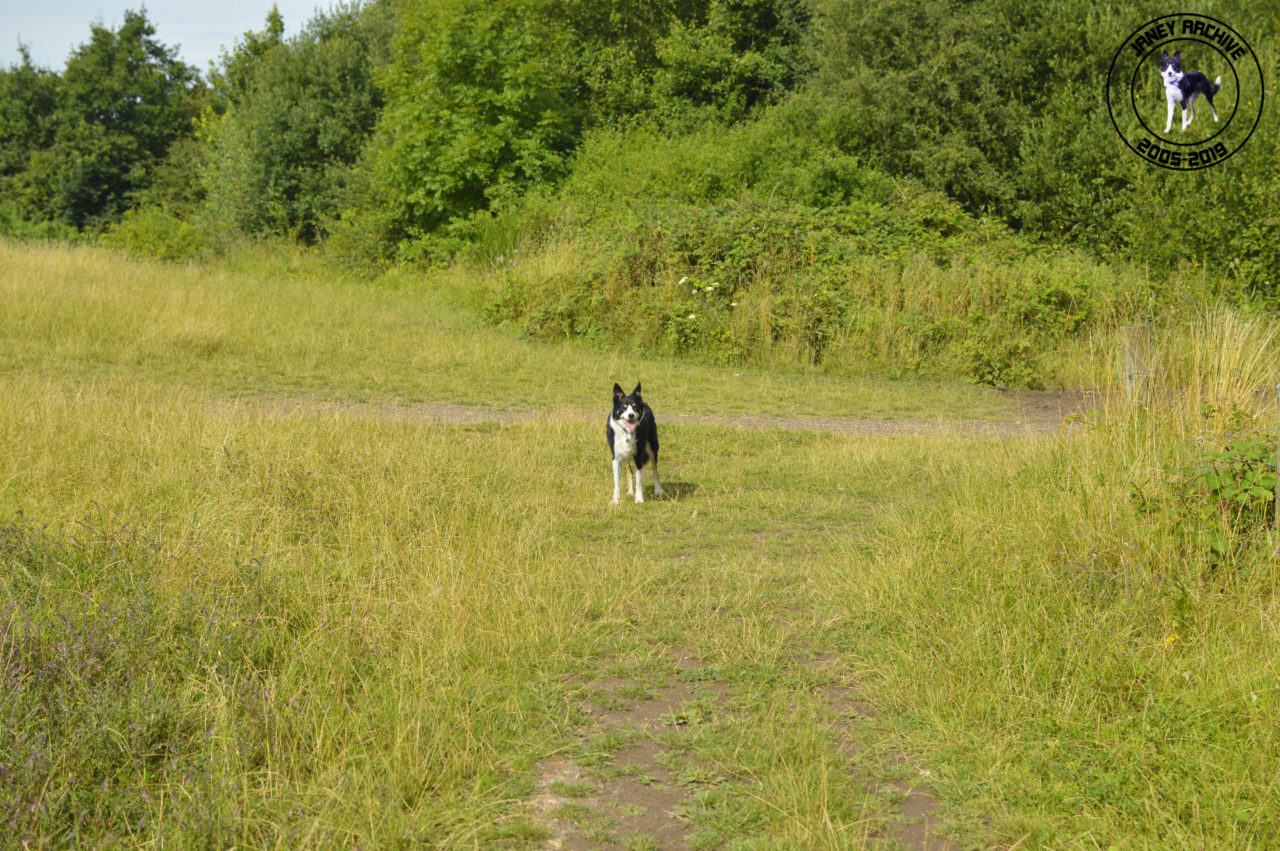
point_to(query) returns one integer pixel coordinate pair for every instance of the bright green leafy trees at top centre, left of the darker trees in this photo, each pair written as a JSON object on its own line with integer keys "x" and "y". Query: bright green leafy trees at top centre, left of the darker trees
{"x": 487, "y": 99}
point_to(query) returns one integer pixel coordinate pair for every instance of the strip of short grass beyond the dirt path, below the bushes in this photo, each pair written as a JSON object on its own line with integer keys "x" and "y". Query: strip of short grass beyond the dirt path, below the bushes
{"x": 289, "y": 333}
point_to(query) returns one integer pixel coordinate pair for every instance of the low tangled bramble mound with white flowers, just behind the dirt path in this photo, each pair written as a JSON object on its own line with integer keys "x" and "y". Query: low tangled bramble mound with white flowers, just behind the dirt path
{"x": 912, "y": 287}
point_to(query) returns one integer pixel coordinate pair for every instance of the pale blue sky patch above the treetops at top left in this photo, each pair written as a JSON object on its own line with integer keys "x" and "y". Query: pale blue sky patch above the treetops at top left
{"x": 199, "y": 29}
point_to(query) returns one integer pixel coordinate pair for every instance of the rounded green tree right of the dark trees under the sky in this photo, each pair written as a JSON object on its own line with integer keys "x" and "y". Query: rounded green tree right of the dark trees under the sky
{"x": 298, "y": 117}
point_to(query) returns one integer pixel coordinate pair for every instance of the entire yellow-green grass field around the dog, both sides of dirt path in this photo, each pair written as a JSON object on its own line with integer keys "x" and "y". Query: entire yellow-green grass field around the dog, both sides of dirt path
{"x": 227, "y": 621}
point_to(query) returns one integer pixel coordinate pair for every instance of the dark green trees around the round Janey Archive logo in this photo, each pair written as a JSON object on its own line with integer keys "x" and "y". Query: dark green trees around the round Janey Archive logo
{"x": 998, "y": 103}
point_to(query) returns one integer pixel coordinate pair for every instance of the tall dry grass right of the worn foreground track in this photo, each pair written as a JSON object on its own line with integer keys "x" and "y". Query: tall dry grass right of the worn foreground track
{"x": 1076, "y": 660}
